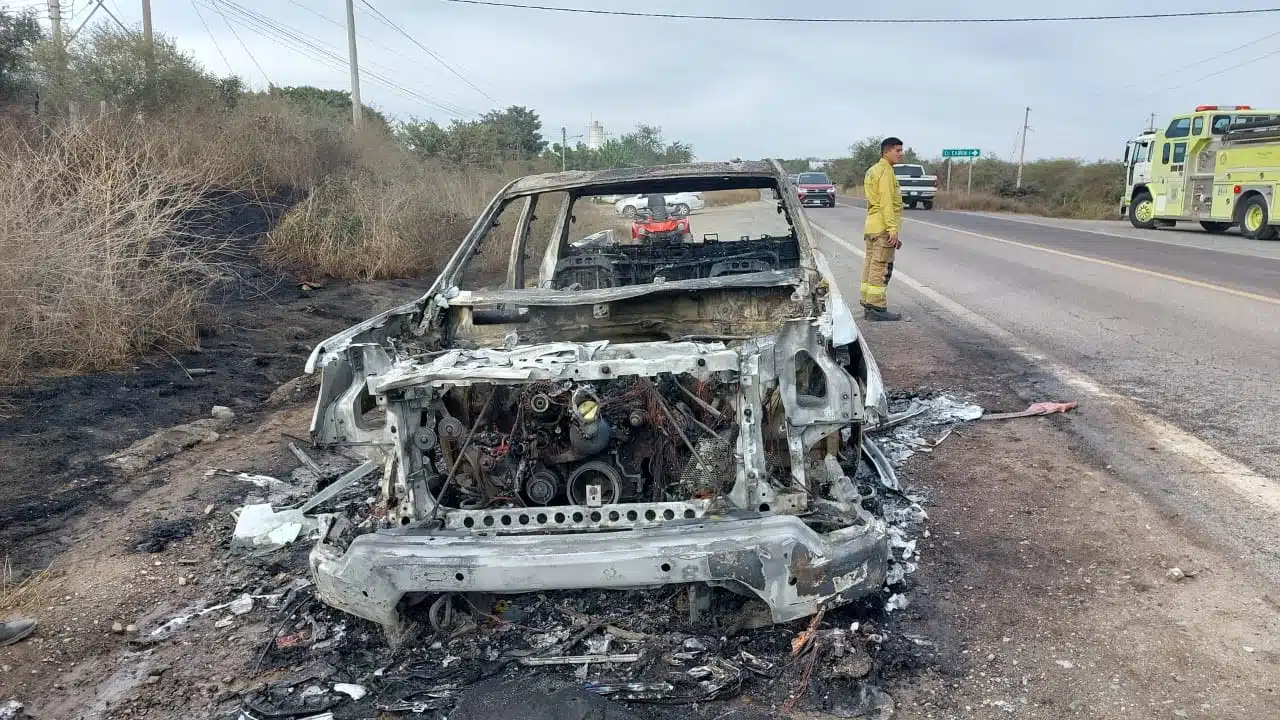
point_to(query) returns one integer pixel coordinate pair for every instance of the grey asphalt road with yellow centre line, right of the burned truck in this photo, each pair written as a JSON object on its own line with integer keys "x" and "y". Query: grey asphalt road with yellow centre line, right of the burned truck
{"x": 1183, "y": 326}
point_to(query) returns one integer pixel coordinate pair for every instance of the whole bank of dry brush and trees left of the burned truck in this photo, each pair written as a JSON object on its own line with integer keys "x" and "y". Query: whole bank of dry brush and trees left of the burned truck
{"x": 109, "y": 180}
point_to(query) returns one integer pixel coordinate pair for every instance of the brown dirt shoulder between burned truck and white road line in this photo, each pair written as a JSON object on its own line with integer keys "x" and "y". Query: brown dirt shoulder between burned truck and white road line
{"x": 1045, "y": 586}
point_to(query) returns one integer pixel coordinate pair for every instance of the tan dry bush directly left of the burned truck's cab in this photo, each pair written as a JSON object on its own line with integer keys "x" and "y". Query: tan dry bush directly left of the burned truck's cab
{"x": 367, "y": 227}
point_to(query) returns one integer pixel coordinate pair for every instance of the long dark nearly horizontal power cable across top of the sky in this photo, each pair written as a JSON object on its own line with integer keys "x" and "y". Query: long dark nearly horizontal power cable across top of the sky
{"x": 868, "y": 21}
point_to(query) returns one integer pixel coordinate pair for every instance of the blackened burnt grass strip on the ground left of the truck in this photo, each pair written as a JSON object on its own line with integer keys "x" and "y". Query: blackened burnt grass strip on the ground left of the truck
{"x": 56, "y": 431}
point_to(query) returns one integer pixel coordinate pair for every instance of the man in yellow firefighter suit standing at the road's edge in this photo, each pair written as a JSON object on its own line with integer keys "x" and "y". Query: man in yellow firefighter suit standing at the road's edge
{"x": 884, "y": 222}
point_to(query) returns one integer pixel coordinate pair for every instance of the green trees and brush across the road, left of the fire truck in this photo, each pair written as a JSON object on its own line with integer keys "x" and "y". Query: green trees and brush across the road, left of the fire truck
{"x": 1060, "y": 188}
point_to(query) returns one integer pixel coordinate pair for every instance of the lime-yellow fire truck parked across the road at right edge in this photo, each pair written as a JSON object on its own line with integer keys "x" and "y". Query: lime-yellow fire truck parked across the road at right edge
{"x": 1218, "y": 166}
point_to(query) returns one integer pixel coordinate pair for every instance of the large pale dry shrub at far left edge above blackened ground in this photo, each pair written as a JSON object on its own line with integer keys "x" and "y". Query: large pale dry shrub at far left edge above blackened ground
{"x": 97, "y": 266}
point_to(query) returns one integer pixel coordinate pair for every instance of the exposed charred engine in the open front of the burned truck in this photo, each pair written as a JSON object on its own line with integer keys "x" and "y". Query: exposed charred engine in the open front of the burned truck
{"x": 580, "y": 444}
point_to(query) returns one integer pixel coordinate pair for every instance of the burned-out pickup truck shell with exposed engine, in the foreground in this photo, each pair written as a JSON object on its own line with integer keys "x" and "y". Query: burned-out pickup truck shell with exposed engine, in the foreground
{"x": 618, "y": 409}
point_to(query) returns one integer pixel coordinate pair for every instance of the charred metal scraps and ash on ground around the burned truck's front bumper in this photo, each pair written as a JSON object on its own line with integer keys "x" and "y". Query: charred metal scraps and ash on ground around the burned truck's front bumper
{"x": 637, "y": 646}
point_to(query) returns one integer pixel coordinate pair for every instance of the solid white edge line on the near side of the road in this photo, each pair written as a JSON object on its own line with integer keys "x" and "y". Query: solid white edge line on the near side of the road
{"x": 1172, "y": 440}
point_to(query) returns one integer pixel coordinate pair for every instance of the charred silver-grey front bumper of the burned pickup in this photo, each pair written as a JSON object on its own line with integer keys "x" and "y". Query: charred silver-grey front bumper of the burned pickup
{"x": 790, "y": 567}
